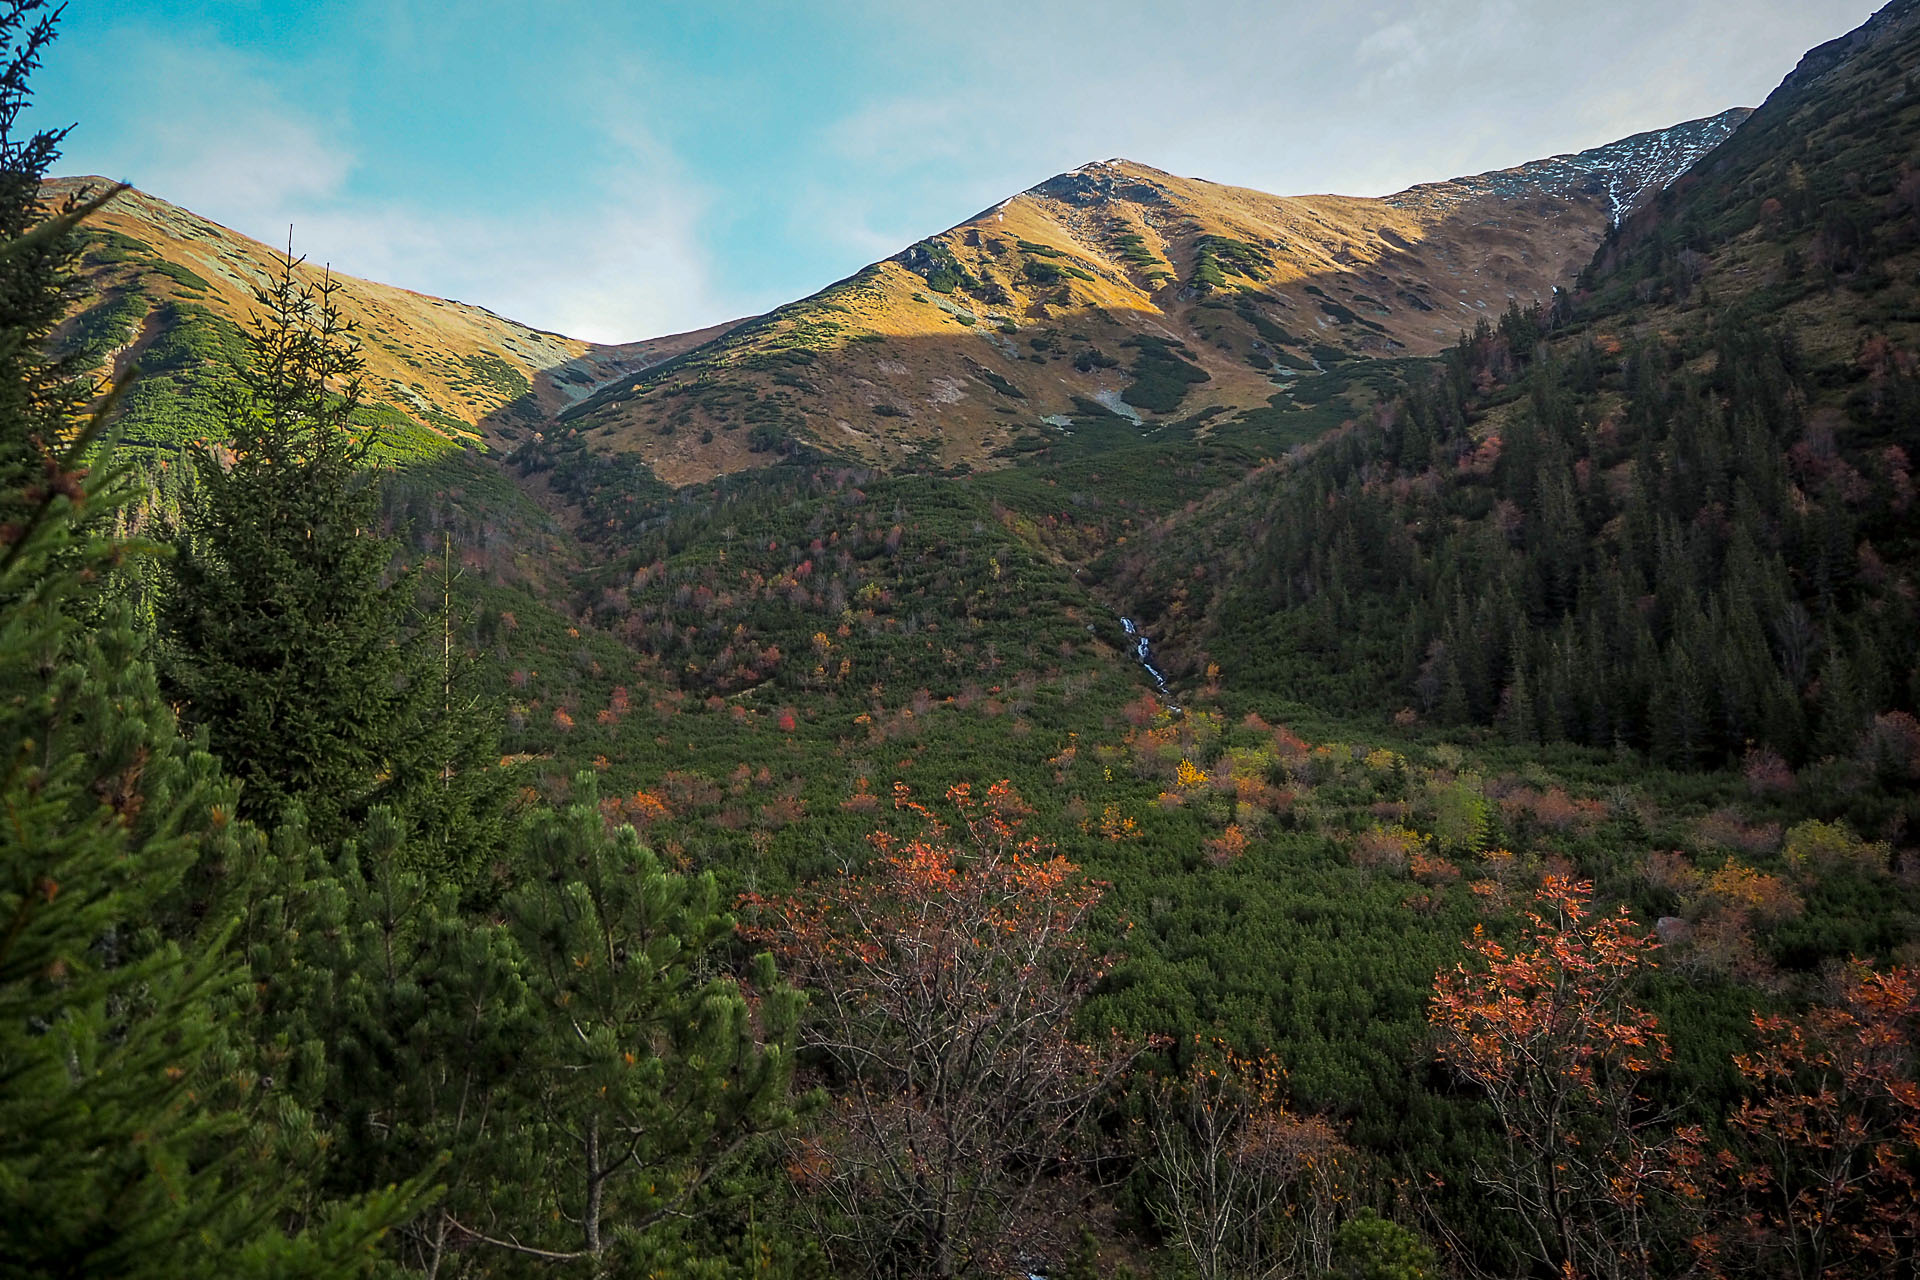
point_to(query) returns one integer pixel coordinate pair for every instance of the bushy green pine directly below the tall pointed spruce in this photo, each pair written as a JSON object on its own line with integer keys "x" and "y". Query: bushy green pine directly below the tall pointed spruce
{"x": 398, "y": 1024}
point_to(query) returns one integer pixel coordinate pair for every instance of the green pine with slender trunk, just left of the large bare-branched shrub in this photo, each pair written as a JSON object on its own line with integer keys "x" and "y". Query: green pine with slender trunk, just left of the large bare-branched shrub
{"x": 652, "y": 1076}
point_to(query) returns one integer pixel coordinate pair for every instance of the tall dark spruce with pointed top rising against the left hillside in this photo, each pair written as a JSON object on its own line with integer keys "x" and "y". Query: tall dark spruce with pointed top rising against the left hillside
{"x": 293, "y": 644}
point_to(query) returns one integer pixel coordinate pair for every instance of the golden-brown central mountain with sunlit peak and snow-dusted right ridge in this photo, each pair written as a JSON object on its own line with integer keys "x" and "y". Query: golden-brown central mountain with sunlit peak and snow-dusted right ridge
{"x": 1136, "y": 291}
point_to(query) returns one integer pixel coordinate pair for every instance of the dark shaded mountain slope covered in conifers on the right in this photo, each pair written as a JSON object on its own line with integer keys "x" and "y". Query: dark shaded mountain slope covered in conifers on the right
{"x": 1681, "y": 525}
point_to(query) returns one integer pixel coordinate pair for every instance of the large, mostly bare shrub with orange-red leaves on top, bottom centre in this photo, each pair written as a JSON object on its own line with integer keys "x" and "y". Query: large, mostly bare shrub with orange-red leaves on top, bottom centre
{"x": 944, "y": 985}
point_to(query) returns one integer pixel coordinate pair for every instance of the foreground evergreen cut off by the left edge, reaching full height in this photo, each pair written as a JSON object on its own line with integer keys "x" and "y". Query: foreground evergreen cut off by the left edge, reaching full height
{"x": 114, "y": 1160}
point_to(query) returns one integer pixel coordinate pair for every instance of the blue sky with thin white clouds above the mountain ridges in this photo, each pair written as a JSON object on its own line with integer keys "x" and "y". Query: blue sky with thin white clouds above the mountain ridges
{"x": 625, "y": 170}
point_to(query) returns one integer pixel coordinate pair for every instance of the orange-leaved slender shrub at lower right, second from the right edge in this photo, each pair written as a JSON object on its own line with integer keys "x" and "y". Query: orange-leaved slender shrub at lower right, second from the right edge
{"x": 1550, "y": 1033}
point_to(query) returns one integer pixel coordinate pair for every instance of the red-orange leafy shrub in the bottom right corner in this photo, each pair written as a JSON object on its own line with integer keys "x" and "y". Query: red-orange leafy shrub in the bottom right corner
{"x": 1823, "y": 1173}
